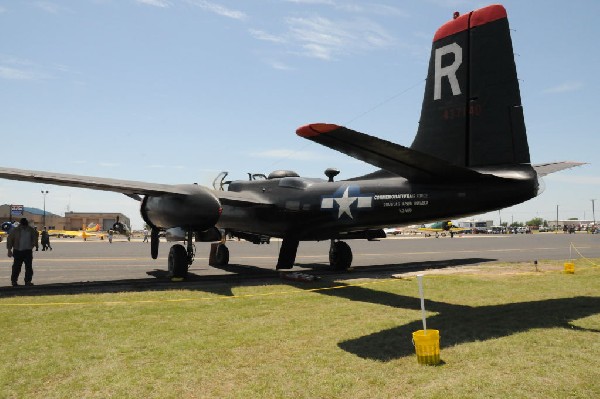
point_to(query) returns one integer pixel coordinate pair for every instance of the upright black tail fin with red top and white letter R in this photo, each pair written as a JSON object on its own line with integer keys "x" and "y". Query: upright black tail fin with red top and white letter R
{"x": 472, "y": 114}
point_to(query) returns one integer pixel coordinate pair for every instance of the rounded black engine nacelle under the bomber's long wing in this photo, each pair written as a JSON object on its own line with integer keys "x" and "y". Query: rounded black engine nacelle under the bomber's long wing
{"x": 198, "y": 210}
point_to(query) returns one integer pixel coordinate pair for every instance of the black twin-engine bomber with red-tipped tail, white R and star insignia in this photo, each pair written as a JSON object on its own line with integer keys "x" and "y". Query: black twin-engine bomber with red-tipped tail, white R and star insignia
{"x": 470, "y": 155}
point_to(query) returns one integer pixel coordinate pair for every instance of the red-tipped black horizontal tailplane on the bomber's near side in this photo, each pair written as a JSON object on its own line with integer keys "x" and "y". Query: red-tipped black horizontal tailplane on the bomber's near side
{"x": 403, "y": 161}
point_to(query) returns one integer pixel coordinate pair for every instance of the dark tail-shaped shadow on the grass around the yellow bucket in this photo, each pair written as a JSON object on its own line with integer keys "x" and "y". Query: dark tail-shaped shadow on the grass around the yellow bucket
{"x": 459, "y": 324}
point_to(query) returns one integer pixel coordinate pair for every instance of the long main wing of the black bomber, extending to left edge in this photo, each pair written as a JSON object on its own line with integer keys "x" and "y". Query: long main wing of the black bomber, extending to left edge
{"x": 130, "y": 188}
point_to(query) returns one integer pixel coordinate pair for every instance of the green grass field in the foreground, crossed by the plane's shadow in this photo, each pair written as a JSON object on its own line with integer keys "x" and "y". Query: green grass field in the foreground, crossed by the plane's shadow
{"x": 528, "y": 334}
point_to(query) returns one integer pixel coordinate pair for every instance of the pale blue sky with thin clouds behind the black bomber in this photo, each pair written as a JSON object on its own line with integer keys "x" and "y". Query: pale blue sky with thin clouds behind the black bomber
{"x": 175, "y": 91}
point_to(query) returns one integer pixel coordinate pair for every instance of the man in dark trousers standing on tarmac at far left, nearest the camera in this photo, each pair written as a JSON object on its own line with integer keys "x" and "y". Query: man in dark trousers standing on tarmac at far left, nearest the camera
{"x": 20, "y": 245}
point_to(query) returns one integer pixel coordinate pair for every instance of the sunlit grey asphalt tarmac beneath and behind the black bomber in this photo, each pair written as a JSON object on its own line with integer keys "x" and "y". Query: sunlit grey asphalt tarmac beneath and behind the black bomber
{"x": 74, "y": 263}
